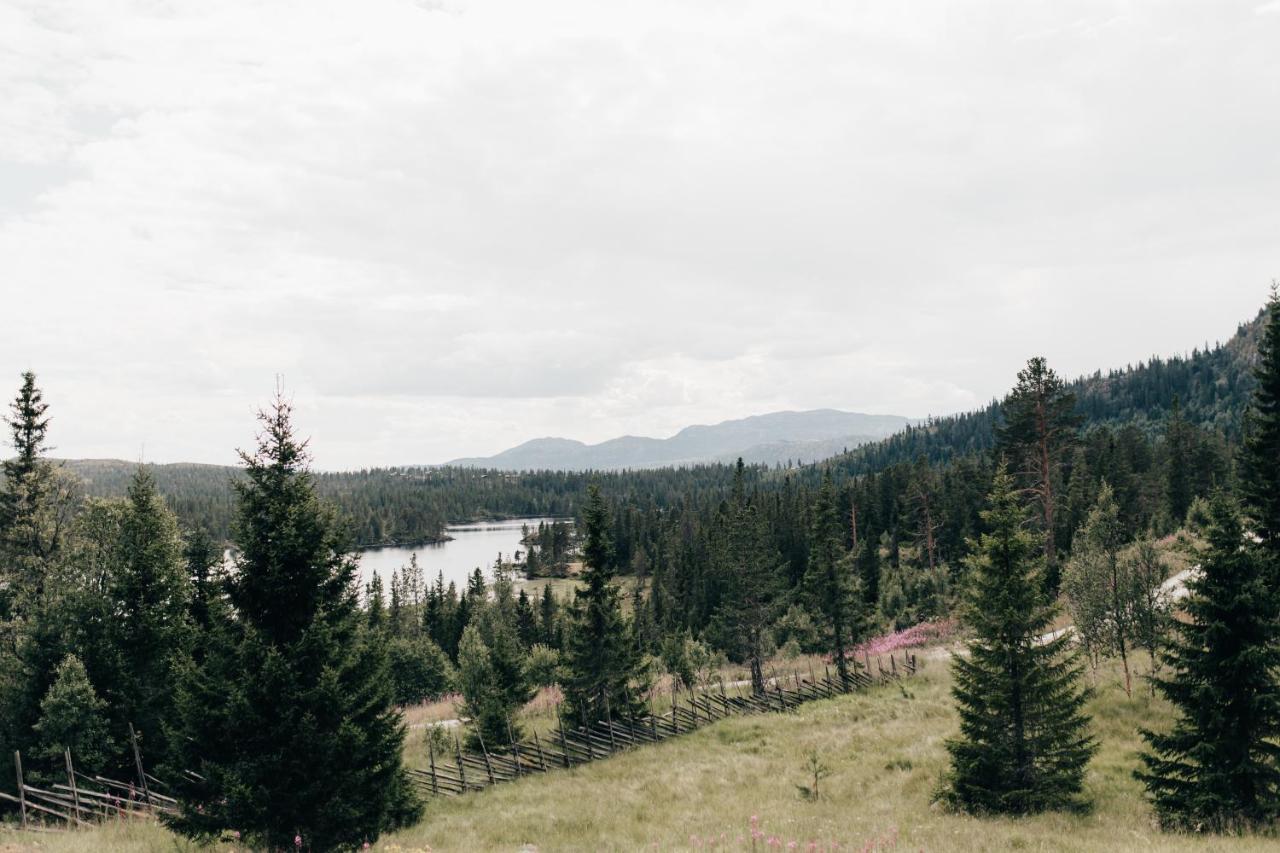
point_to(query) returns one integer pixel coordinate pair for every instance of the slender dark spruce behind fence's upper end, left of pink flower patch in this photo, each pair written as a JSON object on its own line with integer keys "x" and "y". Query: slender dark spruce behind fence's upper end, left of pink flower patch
{"x": 830, "y": 578}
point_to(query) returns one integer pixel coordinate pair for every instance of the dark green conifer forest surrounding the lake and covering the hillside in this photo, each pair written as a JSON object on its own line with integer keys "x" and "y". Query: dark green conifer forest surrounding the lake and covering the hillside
{"x": 264, "y": 681}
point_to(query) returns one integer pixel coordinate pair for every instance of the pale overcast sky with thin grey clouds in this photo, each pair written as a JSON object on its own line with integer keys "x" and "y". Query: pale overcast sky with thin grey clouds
{"x": 446, "y": 229}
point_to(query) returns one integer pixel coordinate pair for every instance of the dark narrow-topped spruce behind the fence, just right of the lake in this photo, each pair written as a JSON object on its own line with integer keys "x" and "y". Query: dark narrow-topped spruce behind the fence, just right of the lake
{"x": 602, "y": 662}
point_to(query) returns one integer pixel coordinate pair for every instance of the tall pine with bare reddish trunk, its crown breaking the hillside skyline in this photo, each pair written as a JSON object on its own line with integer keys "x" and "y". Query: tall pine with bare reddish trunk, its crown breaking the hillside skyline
{"x": 1040, "y": 425}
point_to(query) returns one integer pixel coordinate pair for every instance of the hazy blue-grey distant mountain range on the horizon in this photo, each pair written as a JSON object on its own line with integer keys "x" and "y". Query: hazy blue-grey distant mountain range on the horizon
{"x": 778, "y": 437}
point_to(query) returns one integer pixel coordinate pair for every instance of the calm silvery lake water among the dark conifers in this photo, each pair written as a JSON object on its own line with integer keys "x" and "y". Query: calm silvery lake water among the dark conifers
{"x": 473, "y": 545}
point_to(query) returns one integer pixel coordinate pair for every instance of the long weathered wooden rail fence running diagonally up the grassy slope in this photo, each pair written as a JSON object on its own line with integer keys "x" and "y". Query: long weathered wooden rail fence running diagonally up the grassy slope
{"x": 458, "y": 772}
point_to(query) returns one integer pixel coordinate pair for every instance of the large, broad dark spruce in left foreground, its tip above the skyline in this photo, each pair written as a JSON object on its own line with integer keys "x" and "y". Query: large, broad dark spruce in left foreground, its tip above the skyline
{"x": 290, "y": 722}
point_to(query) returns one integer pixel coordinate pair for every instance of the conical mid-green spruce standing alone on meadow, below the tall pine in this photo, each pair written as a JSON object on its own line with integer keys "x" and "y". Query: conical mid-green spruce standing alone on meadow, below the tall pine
{"x": 1025, "y": 742}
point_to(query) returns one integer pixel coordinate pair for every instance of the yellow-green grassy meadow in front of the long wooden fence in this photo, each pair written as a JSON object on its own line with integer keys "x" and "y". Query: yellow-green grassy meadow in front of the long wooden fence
{"x": 886, "y": 756}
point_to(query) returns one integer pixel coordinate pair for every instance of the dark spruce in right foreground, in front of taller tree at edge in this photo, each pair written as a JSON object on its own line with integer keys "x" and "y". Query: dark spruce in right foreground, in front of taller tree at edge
{"x": 1219, "y": 768}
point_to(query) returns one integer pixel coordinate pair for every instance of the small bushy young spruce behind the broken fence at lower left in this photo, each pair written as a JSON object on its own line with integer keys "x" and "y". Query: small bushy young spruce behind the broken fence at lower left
{"x": 72, "y": 717}
